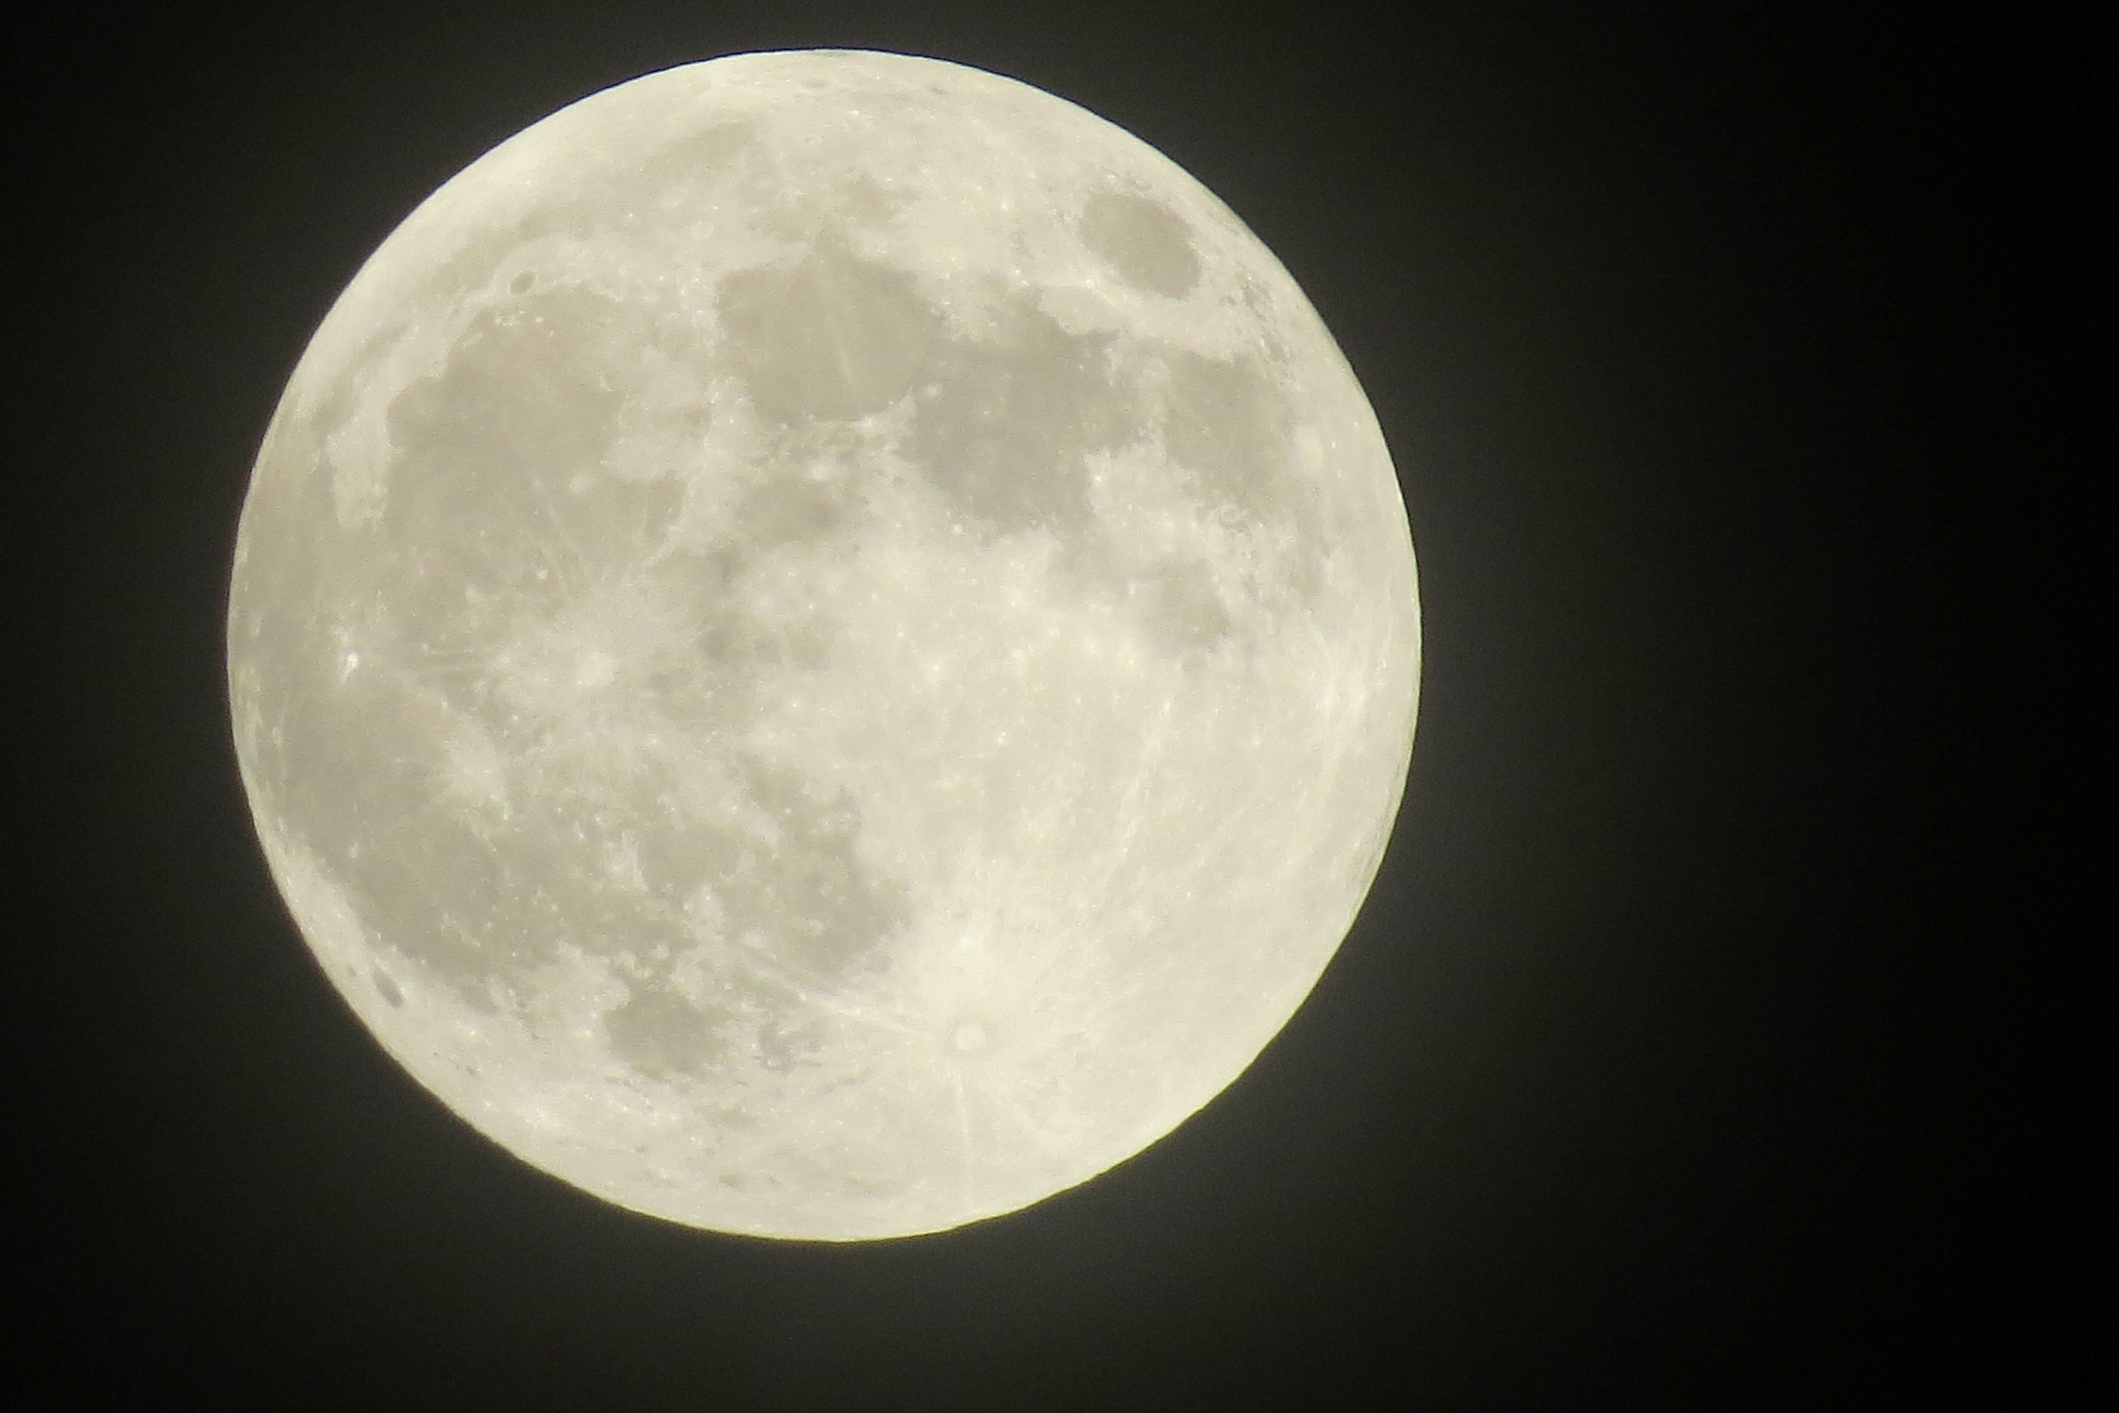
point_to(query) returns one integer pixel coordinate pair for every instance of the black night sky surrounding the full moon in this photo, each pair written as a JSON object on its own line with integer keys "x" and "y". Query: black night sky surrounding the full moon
{"x": 1652, "y": 1075}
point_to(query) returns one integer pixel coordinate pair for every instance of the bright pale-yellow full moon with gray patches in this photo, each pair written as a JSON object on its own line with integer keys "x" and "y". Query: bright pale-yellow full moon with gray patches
{"x": 823, "y": 645}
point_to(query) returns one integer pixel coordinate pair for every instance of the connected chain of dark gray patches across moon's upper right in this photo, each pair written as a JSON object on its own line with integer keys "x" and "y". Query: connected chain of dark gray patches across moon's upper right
{"x": 1003, "y": 425}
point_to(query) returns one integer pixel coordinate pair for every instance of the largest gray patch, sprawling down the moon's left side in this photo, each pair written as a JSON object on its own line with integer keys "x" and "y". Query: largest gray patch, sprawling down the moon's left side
{"x": 592, "y": 673}
